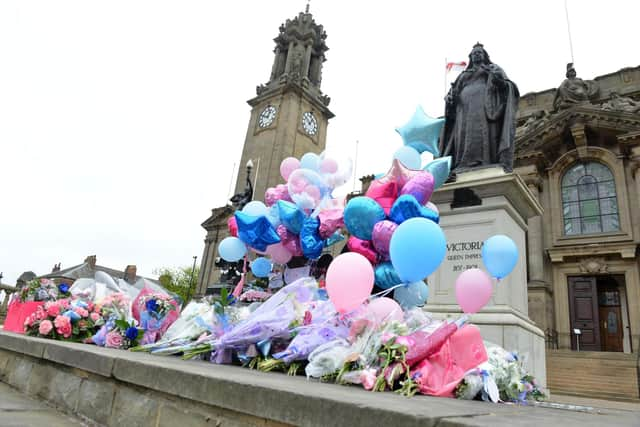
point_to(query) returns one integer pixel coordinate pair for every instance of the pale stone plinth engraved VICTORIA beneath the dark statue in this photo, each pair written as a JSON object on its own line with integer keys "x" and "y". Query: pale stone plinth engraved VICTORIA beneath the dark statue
{"x": 477, "y": 206}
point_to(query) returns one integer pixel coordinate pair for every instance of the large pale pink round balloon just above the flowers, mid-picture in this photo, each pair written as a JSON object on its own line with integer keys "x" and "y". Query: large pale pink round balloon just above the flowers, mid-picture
{"x": 349, "y": 281}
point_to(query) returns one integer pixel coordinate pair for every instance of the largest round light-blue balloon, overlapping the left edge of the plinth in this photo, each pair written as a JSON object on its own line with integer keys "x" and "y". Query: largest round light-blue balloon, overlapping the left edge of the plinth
{"x": 417, "y": 248}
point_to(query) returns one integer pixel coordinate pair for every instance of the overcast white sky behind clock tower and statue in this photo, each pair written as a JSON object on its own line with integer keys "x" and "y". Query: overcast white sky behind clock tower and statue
{"x": 121, "y": 122}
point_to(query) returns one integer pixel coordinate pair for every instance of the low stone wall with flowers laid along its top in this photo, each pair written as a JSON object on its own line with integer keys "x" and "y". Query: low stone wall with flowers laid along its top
{"x": 119, "y": 388}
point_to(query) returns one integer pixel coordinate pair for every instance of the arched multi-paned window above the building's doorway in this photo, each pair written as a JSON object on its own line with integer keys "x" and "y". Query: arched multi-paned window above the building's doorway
{"x": 589, "y": 200}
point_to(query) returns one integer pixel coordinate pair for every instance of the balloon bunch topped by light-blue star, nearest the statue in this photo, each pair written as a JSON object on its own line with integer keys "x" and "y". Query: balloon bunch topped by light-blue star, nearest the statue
{"x": 394, "y": 225}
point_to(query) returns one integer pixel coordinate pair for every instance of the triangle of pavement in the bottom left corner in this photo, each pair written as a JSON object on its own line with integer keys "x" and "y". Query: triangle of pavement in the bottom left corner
{"x": 19, "y": 410}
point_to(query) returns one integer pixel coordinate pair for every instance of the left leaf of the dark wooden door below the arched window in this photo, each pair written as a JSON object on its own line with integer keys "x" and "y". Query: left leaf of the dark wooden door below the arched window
{"x": 583, "y": 305}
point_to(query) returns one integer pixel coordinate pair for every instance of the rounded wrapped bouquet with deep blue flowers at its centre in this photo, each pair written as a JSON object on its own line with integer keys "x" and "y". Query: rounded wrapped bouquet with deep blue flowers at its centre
{"x": 155, "y": 312}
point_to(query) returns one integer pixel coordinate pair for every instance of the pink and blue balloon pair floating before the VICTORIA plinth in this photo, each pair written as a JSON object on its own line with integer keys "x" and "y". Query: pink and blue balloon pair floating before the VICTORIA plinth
{"x": 473, "y": 287}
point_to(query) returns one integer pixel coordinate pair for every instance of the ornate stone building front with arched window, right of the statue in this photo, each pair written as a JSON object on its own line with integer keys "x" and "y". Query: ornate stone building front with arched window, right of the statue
{"x": 578, "y": 149}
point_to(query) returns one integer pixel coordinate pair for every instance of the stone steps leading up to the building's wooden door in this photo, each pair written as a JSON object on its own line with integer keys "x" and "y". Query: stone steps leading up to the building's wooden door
{"x": 593, "y": 374}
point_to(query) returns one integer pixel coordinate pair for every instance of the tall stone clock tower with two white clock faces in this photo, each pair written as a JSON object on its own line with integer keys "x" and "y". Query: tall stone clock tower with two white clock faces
{"x": 290, "y": 114}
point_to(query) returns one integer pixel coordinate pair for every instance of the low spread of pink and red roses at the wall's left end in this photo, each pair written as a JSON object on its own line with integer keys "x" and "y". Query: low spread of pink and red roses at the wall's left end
{"x": 62, "y": 320}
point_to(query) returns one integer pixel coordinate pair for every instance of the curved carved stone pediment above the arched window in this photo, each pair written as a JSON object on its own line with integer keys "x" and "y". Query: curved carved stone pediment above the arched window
{"x": 534, "y": 136}
